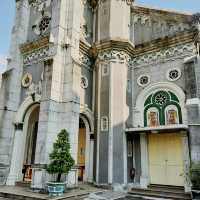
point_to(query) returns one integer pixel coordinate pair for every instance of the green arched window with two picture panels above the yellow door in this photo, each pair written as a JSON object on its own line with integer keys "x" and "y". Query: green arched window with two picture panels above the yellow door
{"x": 162, "y": 108}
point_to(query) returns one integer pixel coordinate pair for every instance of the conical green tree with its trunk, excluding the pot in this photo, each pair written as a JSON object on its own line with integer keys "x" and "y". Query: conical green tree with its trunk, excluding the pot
{"x": 61, "y": 160}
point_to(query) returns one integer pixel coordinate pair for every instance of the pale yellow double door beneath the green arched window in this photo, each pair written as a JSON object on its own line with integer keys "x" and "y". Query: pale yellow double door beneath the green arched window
{"x": 166, "y": 159}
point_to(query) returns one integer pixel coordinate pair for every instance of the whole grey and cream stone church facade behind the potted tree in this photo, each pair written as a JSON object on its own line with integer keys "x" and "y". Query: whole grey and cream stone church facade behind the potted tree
{"x": 122, "y": 79}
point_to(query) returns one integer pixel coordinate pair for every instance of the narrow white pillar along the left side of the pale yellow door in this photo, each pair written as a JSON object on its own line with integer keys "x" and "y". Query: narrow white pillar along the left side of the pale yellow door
{"x": 144, "y": 179}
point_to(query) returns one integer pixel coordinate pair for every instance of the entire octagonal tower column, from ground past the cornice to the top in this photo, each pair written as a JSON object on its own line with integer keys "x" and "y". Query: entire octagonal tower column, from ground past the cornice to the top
{"x": 112, "y": 38}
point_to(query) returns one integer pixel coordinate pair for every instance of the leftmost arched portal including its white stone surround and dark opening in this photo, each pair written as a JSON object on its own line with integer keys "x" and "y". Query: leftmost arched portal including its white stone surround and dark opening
{"x": 23, "y": 154}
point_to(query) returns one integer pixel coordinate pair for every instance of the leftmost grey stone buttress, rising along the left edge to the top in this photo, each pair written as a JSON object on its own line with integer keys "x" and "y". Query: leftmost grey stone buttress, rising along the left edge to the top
{"x": 11, "y": 91}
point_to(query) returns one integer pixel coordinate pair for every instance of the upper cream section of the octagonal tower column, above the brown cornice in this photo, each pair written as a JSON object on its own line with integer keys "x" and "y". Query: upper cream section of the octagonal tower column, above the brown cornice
{"x": 108, "y": 26}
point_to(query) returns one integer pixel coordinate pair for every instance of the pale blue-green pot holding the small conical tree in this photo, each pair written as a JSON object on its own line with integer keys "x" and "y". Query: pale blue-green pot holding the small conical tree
{"x": 56, "y": 189}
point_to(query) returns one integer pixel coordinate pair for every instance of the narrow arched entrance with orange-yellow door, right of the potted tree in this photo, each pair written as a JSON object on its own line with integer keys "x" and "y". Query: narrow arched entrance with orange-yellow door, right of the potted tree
{"x": 85, "y": 151}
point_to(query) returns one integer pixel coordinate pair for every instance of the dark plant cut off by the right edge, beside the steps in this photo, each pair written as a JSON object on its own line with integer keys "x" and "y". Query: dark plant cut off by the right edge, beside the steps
{"x": 195, "y": 179}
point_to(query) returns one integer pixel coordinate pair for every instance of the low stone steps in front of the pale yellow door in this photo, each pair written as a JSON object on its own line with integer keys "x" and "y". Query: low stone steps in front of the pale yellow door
{"x": 160, "y": 191}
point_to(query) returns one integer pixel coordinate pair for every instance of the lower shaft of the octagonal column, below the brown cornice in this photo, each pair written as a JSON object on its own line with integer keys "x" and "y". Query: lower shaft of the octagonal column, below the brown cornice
{"x": 112, "y": 109}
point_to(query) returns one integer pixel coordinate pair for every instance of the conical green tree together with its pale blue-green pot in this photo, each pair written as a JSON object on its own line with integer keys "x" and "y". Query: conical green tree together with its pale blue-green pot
{"x": 61, "y": 162}
